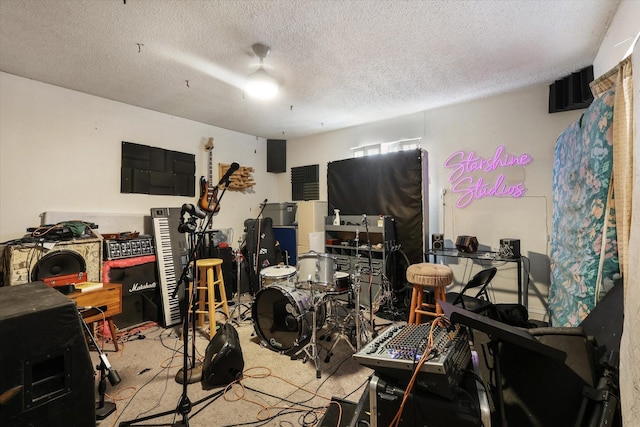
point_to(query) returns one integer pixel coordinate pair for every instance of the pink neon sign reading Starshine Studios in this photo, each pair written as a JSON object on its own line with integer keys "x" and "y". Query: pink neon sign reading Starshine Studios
{"x": 466, "y": 183}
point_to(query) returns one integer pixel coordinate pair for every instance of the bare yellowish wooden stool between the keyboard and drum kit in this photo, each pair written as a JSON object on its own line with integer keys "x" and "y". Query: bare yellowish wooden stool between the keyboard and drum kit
{"x": 206, "y": 287}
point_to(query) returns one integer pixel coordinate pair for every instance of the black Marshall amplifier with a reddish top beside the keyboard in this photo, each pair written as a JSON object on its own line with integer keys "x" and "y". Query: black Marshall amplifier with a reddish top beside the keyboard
{"x": 139, "y": 279}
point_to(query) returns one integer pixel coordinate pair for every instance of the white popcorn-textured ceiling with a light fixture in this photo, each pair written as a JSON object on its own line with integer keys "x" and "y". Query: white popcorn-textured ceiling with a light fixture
{"x": 340, "y": 63}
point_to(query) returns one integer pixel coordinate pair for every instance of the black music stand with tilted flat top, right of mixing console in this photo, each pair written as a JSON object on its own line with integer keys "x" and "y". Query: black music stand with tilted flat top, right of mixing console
{"x": 499, "y": 332}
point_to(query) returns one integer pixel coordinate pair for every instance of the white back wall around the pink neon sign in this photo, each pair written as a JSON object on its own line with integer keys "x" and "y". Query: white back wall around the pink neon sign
{"x": 520, "y": 122}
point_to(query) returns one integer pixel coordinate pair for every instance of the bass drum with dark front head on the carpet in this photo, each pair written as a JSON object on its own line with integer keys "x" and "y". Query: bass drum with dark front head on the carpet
{"x": 282, "y": 317}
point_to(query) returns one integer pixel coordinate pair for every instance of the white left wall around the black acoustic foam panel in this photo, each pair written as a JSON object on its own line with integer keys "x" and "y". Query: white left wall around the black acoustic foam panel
{"x": 60, "y": 150}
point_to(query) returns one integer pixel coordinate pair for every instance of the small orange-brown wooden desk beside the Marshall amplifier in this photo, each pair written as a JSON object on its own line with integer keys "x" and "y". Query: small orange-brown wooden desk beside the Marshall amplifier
{"x": 108, "y": 299}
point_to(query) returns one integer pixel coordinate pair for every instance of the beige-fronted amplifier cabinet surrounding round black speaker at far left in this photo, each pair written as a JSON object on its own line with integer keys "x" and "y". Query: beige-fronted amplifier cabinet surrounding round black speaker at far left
{"x": 19, "y": 261}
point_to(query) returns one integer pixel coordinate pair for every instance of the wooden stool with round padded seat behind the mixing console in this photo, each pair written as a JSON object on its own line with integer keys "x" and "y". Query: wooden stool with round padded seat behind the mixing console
{"x": 427, "y": 275}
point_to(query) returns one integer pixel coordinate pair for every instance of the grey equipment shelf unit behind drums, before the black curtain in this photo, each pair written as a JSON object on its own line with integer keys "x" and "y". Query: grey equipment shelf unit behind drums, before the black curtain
{"x": 340, "y": 241}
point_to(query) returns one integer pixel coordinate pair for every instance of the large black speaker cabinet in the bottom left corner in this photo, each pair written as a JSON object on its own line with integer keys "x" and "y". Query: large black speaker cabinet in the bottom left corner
{"x": 46, "y": 374}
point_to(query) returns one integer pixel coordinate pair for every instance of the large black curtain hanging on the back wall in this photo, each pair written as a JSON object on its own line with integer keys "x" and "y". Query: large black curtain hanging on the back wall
{"x": 389, "y": 184}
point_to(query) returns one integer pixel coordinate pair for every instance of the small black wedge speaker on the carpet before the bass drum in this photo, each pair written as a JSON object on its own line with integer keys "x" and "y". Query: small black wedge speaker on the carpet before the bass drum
{"x": 223, "y": 361}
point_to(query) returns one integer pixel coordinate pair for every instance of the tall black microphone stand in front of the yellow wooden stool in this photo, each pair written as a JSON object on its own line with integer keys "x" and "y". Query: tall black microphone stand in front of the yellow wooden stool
{"x": 185, "y": 405}
